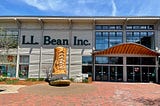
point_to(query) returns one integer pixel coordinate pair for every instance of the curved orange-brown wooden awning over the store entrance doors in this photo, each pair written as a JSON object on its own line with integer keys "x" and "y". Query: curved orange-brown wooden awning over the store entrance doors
{"x": 128, "y": 48}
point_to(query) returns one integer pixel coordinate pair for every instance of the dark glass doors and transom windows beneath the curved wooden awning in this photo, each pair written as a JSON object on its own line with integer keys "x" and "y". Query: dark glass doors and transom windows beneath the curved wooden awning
{"x": 138, "y": 69}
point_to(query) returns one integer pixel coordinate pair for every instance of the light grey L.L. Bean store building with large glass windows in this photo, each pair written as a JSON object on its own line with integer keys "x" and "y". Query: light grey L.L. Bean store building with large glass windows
{"x": 124, "y": 49}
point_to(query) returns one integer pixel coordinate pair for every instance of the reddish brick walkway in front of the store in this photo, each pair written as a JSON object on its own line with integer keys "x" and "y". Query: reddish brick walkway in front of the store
{"x": 78, "y": 94}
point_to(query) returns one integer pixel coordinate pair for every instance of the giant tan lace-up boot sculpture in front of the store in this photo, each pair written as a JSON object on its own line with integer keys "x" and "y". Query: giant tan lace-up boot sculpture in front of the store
{"x": 59, "y": 72}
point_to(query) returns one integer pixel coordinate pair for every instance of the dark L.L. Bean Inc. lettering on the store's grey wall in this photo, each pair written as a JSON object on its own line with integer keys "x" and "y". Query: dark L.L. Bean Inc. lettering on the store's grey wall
{"x": 48, "y": 40}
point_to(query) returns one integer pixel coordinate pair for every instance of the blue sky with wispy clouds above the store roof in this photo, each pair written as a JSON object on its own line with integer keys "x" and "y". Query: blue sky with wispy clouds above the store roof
{"x": 80, "y": 7}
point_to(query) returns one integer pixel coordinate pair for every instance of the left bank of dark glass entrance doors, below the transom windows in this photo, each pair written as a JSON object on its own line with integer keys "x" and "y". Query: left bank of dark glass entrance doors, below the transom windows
{"x": 109, "y": 73}
